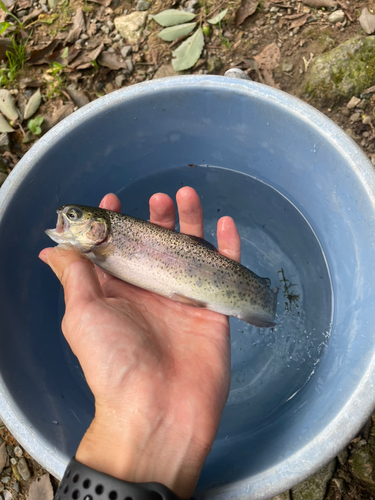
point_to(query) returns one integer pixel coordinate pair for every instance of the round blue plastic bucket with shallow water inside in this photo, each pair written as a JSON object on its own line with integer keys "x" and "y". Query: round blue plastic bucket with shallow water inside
{"x": 302, "y": 194}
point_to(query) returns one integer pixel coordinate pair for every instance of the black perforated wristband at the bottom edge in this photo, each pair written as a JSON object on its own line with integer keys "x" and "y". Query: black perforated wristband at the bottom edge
{"x": 82, "y": 482}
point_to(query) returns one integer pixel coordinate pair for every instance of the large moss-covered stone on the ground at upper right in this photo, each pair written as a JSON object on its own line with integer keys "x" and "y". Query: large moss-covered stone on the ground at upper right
{"x": 345, "y": 71}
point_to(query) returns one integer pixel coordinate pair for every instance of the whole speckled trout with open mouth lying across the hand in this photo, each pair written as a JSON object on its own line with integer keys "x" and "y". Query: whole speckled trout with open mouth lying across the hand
{"x": 179, "y": 266}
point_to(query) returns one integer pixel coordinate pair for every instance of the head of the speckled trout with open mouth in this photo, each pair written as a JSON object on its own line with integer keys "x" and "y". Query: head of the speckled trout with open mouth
{"x": 83, "y": 227}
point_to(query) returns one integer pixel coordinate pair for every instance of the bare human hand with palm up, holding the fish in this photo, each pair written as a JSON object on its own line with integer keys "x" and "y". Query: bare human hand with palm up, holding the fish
{"x": 159, "y": 370}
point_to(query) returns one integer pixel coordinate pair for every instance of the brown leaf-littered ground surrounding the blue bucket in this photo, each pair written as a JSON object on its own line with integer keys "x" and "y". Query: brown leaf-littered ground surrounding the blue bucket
{"x": 74, "y": 54}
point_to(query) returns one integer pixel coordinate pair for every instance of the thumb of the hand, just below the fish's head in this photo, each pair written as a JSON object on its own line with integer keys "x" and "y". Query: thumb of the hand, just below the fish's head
{"x": 75, "y": 271}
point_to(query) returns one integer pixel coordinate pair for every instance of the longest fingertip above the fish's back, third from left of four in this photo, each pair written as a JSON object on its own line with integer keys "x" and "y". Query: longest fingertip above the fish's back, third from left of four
{"x": 190, "y": 212}
